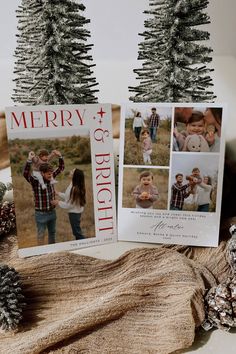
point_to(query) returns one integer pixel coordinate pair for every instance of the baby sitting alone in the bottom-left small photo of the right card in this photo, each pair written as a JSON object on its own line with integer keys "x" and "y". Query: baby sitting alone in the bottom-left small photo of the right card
{"x": 145, "y": 193}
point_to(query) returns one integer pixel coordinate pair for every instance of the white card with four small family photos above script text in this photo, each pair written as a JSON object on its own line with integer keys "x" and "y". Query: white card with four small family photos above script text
{"x": 171, "y": 173}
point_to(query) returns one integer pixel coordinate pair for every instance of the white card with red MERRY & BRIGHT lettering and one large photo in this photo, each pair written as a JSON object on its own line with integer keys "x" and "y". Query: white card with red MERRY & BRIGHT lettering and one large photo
{"x": 63, "y": 176}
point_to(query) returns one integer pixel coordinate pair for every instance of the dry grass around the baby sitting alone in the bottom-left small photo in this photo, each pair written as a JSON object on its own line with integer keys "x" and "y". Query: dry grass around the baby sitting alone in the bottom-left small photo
{"x": 131, "y": 180}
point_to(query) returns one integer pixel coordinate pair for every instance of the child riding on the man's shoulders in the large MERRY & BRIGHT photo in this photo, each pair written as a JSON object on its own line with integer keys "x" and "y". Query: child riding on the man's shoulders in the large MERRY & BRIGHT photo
{"x": 37, "y": 161}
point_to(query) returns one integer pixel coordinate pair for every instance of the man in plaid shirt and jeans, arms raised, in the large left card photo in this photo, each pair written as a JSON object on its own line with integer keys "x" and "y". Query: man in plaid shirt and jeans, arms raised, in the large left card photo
{"x": 45, "y": 213}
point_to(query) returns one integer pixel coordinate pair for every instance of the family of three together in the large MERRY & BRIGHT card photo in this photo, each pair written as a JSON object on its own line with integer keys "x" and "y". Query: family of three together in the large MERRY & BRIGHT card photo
{"x": 41, "y": 175}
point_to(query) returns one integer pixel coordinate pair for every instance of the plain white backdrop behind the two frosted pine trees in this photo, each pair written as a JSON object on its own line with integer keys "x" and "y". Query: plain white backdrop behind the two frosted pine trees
{"x": 114, "y": 32}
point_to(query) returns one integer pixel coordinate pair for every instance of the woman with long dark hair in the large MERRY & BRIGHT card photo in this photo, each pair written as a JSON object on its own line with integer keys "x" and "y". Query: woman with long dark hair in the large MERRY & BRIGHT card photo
{"x": 74, "y": 200}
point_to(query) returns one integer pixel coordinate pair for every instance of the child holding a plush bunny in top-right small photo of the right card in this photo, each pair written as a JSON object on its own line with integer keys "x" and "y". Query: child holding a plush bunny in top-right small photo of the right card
{"x": 194, "y": 126}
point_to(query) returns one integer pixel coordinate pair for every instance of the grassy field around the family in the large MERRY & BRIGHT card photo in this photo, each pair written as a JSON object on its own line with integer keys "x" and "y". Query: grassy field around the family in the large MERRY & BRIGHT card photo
{"x": 76, "y": 153}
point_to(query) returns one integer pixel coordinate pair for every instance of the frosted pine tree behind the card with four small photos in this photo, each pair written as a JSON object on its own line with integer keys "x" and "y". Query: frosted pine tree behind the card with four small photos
{"x": 175, "y": 60}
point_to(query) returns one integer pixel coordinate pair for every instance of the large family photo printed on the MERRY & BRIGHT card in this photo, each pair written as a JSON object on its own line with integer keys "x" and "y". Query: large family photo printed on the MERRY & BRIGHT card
{"x": 54, "y": 177}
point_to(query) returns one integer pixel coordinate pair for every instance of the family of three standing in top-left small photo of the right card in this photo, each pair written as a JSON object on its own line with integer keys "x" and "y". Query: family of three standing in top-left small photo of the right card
{"x": 149, "y": 134}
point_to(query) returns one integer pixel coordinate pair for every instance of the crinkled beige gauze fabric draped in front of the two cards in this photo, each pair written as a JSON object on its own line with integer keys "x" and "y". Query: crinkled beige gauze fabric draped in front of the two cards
{"x": 147, "y": 301}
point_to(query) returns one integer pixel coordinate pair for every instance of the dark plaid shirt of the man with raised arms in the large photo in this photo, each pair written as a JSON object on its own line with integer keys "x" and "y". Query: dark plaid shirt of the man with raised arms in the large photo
{"x": 42, "y": 197}
